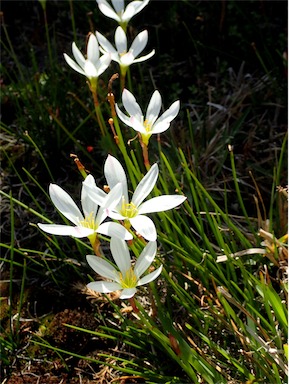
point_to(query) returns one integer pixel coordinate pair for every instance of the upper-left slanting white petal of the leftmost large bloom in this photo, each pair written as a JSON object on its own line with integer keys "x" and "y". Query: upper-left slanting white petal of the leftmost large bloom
{"x": 64, "y": 203}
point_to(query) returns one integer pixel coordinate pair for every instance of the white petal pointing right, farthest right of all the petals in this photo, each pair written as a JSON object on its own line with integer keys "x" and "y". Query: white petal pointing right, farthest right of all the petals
{"x": 161, "y": 203}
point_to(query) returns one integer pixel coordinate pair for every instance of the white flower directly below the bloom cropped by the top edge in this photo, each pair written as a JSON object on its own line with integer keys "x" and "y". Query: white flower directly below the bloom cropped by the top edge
{"x": 121, "y": 55}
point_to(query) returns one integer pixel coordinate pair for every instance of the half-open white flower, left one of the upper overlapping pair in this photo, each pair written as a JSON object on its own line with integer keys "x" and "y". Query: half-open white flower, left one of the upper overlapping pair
{"x": 94, "y": 65}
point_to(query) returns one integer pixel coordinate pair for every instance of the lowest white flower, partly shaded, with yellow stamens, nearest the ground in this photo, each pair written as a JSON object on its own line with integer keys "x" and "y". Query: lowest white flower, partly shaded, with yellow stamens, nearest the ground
{"x": 125, "y": 277}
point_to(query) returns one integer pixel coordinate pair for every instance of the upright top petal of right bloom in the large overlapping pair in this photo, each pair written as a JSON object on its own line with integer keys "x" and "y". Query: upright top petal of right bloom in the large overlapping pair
{"x": 114, "y": 174}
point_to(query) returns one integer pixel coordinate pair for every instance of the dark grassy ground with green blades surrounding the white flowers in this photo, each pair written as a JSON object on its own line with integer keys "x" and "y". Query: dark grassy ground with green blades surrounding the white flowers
{"x": 220, "y": 312}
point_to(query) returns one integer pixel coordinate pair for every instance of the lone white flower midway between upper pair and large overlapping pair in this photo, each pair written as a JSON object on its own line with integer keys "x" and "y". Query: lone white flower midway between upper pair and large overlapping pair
{"x": 152, "y": 124}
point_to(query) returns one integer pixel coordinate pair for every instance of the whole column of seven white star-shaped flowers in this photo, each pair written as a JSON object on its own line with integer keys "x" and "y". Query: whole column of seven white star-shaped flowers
{"x": 112, "y": 211}
